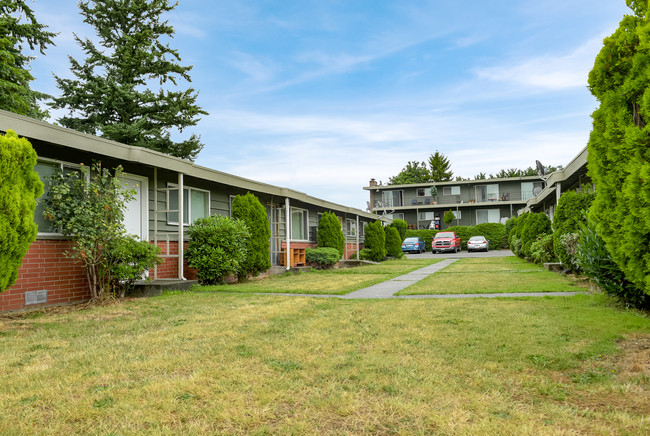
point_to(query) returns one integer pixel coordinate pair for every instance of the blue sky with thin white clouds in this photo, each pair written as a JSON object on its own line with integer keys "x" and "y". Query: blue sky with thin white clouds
{"x": 320, "y": 96}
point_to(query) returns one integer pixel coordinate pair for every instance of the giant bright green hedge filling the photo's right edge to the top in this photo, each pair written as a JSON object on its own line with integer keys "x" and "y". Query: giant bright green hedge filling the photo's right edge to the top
{"x": 619, "y": 145}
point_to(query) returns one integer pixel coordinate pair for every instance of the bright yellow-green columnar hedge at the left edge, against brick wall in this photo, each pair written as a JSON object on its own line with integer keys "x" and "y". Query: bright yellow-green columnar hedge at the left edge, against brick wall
{"x": 19, "y": 189}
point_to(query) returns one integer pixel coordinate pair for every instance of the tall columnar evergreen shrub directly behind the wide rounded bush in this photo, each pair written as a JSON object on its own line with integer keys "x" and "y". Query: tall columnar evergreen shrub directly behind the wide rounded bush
{"x": 248, "y": 209}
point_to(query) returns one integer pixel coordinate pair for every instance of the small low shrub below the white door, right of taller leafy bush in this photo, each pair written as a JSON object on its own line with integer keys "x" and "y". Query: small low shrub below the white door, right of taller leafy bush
{"x": 128, "y": 260}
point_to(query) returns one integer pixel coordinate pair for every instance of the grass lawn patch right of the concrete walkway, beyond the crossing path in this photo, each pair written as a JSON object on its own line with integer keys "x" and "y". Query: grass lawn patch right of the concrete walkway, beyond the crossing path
{"x": 492, "y": 275}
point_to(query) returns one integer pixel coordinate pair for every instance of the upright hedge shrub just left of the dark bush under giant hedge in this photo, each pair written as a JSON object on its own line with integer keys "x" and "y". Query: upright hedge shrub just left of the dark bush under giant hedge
{"x": 570, "y": 212}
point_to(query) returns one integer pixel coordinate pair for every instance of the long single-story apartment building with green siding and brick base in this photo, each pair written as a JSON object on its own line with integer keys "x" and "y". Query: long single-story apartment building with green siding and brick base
{"x": 162, "y": 184}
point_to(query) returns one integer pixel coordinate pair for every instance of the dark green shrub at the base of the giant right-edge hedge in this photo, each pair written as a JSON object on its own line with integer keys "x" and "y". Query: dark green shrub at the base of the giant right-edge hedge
{"x": 596, "y": 262}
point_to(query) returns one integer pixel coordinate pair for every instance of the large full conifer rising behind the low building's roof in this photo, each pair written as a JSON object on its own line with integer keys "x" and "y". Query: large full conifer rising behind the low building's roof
{"x": 110, "y": 94}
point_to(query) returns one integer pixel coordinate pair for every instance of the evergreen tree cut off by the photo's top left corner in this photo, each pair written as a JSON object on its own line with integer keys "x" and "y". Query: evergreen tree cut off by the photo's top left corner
{"x": 19, "y": 29}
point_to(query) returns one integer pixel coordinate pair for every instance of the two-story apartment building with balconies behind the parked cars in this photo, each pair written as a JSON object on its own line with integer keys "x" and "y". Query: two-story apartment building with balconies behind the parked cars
{"x": 472, "y": 201}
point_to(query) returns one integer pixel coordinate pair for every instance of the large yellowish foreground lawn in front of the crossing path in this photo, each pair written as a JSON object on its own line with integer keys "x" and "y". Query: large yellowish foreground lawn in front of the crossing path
{"x": 205, "y": 363}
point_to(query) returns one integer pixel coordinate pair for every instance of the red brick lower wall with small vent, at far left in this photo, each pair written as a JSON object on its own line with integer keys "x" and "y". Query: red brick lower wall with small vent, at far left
{"x": 45, "y": 268}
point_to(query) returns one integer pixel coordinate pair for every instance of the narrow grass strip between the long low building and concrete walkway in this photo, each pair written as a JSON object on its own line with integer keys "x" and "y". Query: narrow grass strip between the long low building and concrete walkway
{"x": 328, "y": 282}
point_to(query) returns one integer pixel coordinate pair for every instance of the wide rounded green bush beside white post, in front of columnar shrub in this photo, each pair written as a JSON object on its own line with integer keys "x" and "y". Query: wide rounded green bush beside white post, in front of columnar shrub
{"x": 217, "y": 248}
